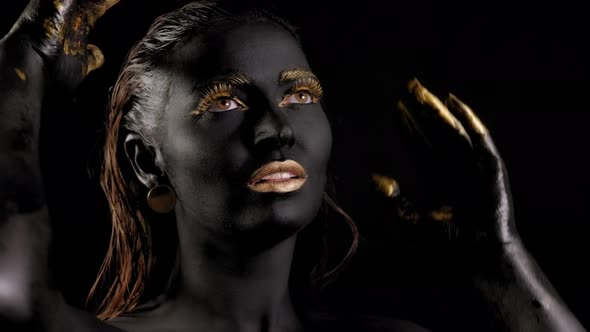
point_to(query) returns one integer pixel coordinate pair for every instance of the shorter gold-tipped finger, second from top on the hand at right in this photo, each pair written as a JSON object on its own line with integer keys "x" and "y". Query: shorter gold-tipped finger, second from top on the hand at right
{"x": 478, "y": 132}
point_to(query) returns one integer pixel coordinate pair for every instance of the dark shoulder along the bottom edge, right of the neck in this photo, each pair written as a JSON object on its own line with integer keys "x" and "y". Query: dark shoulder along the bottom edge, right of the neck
{"x": 363, "y": 323}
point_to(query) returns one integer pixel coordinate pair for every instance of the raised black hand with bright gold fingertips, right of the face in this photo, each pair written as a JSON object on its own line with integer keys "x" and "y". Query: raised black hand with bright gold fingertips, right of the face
{"x": 464, "y": 182}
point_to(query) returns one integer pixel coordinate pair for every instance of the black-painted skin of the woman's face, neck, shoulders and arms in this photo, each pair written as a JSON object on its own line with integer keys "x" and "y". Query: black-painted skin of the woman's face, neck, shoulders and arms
{"x": 241, "y": 240}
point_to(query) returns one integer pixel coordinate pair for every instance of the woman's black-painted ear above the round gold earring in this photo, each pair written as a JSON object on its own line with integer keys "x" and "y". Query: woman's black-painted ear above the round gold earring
{"x": 143, "y": 160}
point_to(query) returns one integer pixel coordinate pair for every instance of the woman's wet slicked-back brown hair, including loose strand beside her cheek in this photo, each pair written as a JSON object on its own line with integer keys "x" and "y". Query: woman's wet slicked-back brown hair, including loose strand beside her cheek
{"x": 135, "y": 106}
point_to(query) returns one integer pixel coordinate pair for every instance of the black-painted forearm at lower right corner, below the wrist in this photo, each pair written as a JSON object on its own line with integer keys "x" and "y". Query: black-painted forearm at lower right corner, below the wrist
{"x": 521, "y": 296}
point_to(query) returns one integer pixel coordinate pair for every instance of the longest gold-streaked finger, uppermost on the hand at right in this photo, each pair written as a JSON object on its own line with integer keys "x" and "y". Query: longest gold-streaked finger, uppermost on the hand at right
{"x": 432, "y": 113}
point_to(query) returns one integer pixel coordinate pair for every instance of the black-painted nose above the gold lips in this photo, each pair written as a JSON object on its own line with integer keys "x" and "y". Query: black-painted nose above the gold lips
{"x": 273, "y": 130}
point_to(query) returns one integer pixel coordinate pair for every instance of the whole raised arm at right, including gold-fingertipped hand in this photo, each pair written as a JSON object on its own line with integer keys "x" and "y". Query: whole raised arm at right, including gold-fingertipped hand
{"x": 466, "y": 171}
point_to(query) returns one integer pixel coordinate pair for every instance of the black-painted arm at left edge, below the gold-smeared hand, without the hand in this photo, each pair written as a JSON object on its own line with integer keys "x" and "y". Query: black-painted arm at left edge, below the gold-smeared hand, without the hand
{"x": 24, "y": 226}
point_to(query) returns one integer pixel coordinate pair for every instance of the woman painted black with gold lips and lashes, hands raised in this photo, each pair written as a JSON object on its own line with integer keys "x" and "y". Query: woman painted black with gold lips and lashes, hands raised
{"x": 216, "y": 124}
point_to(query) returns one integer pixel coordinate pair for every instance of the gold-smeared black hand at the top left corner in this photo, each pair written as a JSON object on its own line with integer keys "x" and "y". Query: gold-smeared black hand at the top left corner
{"x": 58, "y": 31}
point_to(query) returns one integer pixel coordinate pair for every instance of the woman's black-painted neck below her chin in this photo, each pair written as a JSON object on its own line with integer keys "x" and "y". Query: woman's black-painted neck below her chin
{"x": 233, "y": 290}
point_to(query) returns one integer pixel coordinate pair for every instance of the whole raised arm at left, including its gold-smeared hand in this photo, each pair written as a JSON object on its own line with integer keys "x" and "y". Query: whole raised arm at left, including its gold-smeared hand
{"x": 45, "y": 49}
